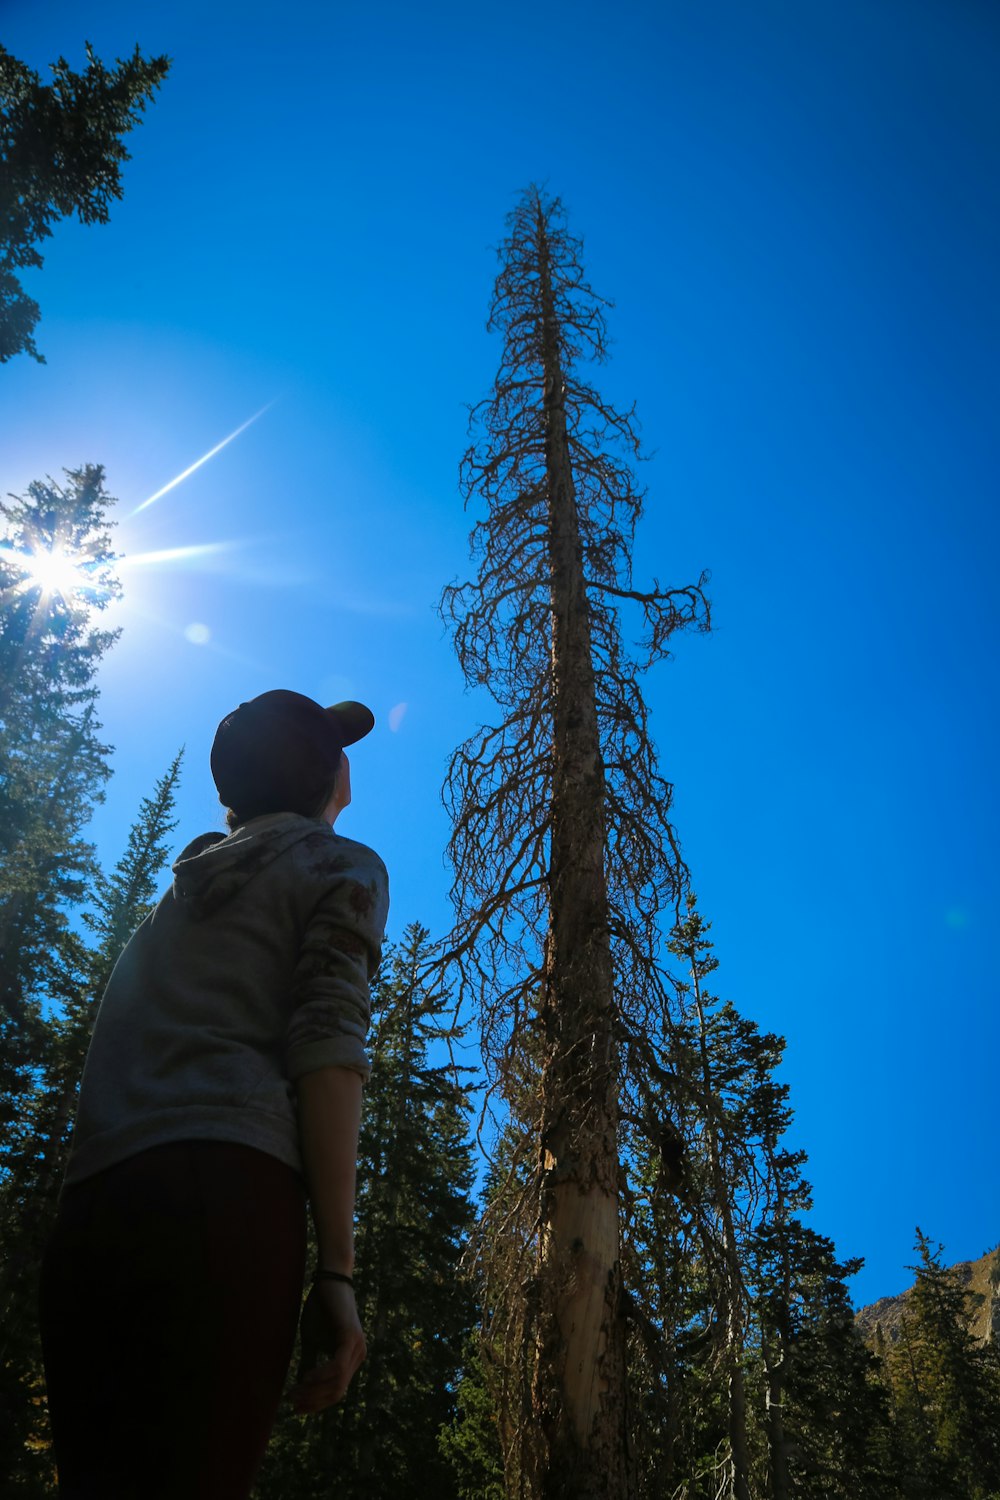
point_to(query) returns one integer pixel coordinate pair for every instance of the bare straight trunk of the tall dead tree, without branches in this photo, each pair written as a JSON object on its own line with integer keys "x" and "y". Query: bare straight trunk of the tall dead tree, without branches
{"x": 581, "y": 1367}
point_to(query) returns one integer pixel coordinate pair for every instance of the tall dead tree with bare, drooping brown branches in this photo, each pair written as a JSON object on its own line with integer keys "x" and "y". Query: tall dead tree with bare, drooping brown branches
{"x": 563, "y": 848}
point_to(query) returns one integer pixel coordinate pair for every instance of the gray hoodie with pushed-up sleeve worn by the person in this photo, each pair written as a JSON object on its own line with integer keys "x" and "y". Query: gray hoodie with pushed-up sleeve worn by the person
{"x": 253, "y": 971}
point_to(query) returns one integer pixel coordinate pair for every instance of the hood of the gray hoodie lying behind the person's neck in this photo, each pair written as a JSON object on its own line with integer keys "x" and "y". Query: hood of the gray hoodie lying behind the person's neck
{"x": 215, "y": 868}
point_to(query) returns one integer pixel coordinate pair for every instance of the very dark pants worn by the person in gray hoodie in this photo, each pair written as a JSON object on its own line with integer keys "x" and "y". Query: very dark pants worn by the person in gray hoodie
{"x": 170, "y": 1297}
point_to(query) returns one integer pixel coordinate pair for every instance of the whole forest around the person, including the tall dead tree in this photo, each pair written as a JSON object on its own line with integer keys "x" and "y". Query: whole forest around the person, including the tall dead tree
{"x": 585, "y": 1259}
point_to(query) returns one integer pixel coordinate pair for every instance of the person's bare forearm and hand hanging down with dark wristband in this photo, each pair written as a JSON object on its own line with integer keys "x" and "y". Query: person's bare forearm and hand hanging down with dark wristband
{"x": 329, "y": 1121}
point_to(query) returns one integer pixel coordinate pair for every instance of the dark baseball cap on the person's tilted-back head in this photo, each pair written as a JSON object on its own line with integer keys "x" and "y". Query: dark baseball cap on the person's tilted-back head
{"x": 277, "y": 754}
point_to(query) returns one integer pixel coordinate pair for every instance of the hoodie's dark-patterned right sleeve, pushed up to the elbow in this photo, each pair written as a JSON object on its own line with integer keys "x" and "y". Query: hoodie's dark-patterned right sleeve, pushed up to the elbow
{"x": 331, "y": 989}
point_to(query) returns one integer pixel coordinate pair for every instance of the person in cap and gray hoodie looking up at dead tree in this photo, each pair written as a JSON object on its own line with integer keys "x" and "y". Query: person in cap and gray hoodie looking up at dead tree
{"x": 223, "y": 1091}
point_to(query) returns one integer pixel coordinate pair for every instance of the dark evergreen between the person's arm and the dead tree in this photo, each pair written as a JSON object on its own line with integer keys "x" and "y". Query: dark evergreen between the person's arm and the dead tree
{"x": 413, "y": 1222}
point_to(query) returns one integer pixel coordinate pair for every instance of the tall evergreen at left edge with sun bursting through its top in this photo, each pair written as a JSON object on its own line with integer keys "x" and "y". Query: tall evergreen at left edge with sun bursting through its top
{"x": 56, "y": 572}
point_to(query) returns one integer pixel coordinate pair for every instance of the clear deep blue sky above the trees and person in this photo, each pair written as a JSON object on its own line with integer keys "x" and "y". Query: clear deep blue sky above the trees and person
{"x": 795, "y": 209}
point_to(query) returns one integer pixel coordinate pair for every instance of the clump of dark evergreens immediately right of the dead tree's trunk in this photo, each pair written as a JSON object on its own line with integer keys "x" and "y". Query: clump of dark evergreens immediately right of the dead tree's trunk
{"x": 746, "y": 1372}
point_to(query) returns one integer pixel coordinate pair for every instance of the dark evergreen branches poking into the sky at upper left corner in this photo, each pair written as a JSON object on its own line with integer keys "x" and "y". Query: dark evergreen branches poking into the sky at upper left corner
{"x": 61, "y": 154}
